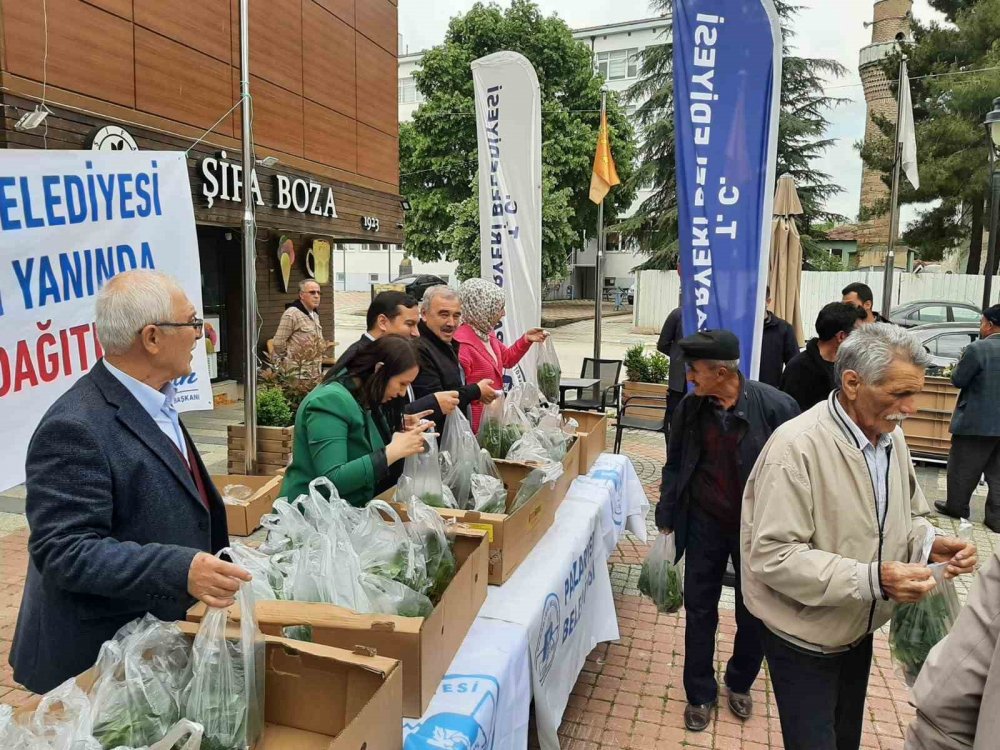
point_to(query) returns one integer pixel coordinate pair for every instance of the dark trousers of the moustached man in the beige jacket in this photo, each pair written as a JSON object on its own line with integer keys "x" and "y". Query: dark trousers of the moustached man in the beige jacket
{"x": 821, "y": 698}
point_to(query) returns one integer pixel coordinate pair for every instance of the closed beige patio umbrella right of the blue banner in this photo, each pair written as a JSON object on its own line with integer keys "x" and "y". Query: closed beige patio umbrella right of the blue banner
{"x": 785, "y": 264}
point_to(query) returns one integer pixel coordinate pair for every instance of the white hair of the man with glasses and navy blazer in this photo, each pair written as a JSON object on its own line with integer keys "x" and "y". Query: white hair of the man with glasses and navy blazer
{"x": 130, "y": 302}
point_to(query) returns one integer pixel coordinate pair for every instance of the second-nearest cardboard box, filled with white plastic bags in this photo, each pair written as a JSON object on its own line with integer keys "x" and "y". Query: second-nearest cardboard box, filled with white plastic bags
{"x": 424, "y": 645}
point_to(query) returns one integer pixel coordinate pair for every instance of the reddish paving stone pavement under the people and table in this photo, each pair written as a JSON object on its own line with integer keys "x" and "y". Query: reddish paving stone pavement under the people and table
{"x": 630, "y": 693}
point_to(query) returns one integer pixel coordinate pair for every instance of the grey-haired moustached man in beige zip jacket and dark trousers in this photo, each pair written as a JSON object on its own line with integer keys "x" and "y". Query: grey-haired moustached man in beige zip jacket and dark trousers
{"x": 832, "y": 518}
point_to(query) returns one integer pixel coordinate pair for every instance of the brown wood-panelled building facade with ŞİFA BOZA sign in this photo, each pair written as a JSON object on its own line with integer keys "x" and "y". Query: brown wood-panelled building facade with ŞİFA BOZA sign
{"x": 162, "y": 74}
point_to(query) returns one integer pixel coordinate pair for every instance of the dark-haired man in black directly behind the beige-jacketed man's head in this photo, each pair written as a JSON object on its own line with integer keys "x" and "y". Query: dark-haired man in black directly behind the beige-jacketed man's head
{"x": 809, "y": 377}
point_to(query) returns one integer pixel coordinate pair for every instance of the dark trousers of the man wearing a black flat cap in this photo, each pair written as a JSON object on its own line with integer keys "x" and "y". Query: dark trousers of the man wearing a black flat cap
{"x": 707, "y": 551}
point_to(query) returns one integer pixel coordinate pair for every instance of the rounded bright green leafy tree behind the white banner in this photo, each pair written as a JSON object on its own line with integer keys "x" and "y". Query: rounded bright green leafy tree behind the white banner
{"x": 438, "y": 161}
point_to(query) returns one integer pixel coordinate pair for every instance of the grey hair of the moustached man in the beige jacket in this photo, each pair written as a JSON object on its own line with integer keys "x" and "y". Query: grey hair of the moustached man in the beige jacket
{"x": 871, "y": 349}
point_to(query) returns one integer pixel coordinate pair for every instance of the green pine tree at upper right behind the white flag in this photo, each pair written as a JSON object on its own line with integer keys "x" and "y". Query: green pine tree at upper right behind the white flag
{"x": 950, "y": 101}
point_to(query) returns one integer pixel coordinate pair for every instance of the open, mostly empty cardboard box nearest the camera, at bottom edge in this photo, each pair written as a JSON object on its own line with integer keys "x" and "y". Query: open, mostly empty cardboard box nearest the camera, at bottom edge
{"x": 319, "y": 698}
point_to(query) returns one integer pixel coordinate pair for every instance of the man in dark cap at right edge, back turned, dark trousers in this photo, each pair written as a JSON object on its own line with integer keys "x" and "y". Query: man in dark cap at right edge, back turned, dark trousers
{"x": 975, "y": 425}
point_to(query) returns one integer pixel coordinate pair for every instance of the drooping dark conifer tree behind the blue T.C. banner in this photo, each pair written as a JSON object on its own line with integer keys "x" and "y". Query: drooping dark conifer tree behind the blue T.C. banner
{"x": 801, "y": 127}
